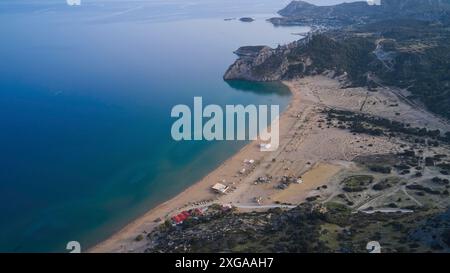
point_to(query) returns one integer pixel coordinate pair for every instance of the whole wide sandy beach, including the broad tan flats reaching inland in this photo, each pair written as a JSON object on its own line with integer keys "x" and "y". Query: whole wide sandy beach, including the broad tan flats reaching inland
{"x": 308, "y": 150}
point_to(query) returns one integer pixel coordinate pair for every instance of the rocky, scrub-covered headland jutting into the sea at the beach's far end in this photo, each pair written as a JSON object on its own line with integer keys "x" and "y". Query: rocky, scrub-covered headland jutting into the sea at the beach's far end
{"x": 316, "y": 54}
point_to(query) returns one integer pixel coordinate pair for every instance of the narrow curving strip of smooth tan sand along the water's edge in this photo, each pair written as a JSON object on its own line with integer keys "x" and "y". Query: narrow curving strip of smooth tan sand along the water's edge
{"x": 197, "y": 192}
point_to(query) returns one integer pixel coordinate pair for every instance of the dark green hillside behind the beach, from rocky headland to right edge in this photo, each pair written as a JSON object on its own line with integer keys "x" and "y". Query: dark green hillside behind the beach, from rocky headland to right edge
{"x": 406, "y": 53}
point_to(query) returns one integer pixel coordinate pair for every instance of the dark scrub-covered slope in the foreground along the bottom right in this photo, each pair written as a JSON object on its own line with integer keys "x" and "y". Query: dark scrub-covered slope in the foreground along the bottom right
{"x": 307, "y": 228}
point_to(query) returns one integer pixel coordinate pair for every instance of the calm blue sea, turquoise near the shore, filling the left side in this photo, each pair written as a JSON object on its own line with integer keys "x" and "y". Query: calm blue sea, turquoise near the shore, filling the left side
{"x": 85, "y": 101}
